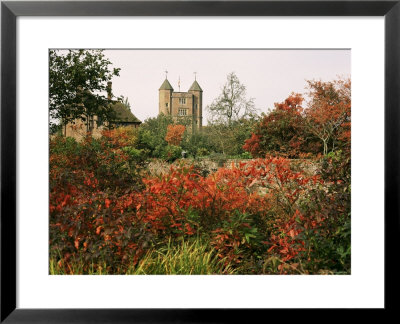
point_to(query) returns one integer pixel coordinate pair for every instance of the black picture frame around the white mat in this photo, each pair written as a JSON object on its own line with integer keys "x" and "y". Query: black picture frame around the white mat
{"x": 10, "y": 10}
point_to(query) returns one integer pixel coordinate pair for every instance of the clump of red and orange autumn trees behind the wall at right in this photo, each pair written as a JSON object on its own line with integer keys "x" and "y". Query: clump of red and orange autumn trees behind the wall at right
{"x": 298, "y": 129}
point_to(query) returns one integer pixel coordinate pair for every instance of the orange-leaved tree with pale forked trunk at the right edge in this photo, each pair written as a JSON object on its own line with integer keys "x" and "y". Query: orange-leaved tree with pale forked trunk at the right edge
{"x": 328, "y": 115}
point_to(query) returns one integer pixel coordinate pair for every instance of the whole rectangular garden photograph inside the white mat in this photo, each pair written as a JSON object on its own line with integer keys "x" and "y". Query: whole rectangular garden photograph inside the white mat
{"x": 199, "y": 161}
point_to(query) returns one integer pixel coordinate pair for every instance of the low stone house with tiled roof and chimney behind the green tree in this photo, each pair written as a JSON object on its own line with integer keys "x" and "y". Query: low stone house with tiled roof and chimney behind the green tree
{"x": 124, "y": 117}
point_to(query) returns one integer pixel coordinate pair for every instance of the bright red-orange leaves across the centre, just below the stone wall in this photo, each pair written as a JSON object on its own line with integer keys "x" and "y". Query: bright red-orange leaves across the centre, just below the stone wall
{"x": 167, "y": 199}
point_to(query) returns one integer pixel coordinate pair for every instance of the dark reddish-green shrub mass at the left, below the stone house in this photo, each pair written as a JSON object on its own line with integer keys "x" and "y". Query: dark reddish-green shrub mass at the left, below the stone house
{"x": 85, "y": 215}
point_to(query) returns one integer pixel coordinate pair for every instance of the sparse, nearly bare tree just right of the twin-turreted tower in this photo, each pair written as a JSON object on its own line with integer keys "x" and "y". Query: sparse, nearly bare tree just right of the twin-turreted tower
{"x": 232, "y": 104}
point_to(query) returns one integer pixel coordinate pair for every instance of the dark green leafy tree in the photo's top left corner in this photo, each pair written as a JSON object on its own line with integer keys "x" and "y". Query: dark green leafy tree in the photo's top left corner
{"x": 77, "y": 79}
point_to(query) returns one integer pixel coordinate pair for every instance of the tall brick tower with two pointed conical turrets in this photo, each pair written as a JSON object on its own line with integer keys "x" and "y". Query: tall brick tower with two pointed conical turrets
{"x": 182, "y": 104}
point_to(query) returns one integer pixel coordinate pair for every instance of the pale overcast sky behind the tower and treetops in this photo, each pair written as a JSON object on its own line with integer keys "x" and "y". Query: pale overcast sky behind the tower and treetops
{"x": 269, "y": 75}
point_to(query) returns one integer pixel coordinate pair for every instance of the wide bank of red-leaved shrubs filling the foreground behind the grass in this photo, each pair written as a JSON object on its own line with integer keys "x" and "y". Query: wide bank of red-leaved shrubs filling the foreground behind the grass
{"x": 264, "y": 216}
